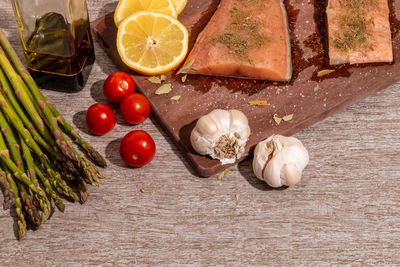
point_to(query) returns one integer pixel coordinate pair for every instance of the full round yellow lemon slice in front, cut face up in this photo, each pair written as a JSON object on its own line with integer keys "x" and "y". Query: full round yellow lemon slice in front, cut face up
{"x": 152, "y": 43}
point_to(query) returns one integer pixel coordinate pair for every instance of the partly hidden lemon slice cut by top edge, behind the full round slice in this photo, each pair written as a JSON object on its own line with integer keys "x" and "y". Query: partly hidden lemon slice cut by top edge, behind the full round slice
{"x": 125, "y": 8}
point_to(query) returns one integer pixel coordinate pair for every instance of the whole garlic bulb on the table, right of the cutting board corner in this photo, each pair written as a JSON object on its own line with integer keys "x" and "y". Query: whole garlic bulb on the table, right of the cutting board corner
{"x": 280, "y": 160}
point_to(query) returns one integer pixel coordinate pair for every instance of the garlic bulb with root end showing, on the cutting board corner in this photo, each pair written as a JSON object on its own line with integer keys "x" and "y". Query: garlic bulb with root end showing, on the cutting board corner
{"x": 221, "y": 134}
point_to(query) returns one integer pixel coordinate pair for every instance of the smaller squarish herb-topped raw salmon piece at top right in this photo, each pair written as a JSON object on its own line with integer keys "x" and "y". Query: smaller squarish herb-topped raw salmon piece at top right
{"x": 359, "y": 31}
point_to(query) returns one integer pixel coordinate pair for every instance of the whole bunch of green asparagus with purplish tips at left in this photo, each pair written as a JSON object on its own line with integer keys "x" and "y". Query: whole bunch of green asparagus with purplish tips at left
{"x": 38, "y": 162}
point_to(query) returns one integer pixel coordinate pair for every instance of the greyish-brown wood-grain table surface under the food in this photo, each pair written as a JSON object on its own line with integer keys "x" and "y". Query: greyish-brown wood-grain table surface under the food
{"x": 346, "y": 210}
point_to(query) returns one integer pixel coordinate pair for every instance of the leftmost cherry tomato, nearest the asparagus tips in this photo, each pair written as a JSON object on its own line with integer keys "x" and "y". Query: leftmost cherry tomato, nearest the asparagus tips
{"x": 100, "y": 119}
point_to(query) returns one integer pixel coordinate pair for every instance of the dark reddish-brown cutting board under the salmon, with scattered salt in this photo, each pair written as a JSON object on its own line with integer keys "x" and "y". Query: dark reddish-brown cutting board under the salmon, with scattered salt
{"x": 201, "y": 94}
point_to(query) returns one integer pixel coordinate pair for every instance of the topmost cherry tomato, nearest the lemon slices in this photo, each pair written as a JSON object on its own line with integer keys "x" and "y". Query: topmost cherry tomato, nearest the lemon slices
{"x": 117, "y": 86}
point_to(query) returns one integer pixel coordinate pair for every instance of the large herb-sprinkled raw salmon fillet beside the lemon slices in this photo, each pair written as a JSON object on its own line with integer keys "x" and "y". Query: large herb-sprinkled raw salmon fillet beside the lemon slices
{"x": 244, "y": 38}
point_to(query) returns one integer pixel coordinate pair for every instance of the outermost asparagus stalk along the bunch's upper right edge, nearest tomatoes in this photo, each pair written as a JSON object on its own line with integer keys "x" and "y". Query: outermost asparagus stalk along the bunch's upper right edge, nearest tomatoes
{"x": 41, "y": 99}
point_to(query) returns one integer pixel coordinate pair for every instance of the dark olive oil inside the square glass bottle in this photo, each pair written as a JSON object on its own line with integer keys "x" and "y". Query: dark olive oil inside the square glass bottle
{"x": 59, "y": 55}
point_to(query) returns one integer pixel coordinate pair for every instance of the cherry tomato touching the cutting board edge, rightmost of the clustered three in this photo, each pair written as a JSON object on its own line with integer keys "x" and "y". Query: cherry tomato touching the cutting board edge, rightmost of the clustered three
{"x": 135, "y": 108}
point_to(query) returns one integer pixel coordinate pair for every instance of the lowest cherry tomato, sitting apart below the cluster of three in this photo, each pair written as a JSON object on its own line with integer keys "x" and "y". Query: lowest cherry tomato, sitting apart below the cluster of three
{"x": 137, "y": 148}
